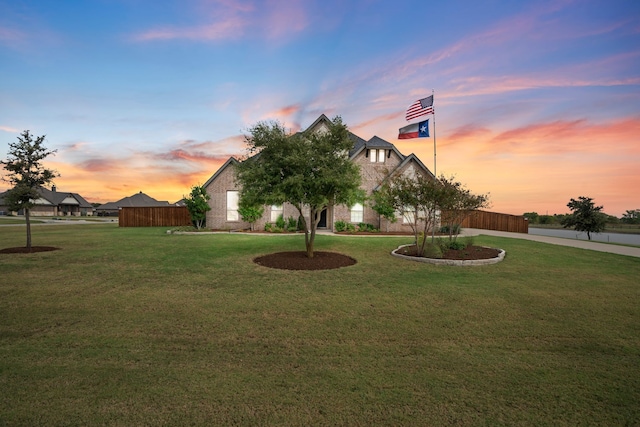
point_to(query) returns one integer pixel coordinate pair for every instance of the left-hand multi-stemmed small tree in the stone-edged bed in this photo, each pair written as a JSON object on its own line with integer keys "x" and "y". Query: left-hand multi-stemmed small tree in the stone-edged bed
{"x": 416, "y": 198}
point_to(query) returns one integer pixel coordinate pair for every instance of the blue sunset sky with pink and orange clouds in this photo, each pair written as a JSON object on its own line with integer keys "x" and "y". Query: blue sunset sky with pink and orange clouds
{"x": 536, "y": 102}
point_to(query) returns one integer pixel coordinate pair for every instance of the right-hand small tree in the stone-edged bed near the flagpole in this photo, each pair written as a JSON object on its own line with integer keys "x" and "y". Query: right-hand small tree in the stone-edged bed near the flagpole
{"x": 456, "y": 203}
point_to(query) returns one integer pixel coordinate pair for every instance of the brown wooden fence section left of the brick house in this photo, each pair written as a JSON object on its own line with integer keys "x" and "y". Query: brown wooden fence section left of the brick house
{"x": 157, "y": 216}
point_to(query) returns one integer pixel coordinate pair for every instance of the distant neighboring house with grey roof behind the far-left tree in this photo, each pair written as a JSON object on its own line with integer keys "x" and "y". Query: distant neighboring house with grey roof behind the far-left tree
{"x": 55, "y": 203}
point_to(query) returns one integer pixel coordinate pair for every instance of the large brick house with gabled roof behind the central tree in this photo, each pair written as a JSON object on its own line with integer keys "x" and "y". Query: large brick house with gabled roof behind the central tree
{"x": 377, "y": 158}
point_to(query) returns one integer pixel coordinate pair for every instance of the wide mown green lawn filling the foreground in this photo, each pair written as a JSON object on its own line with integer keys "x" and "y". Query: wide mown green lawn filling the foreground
{"x": 131, "y": 326}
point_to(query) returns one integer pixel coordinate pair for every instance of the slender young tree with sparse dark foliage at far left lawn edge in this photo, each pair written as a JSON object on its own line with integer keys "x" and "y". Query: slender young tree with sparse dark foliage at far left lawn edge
{"x": 27, "y": 174}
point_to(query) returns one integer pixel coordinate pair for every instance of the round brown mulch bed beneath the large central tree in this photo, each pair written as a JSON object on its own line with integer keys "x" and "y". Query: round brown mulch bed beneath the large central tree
{"x": 297, "y": 260}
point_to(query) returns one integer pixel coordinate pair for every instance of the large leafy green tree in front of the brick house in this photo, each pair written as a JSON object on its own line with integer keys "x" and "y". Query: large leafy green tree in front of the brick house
{"x": 309, "y": 170}
